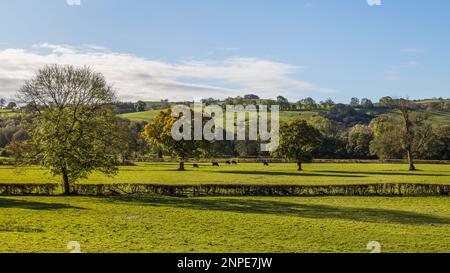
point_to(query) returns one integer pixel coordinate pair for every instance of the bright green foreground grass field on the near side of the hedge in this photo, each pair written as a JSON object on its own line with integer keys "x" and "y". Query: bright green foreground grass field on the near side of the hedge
{"x": 150, "y": 224}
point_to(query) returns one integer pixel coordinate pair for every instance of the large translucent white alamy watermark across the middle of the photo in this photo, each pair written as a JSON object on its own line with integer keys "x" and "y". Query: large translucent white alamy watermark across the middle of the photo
{"x": 239, "y": 122}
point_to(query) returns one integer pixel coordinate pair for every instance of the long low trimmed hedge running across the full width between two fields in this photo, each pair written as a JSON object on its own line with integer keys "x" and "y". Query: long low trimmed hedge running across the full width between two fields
{"x": 389, "y": 189}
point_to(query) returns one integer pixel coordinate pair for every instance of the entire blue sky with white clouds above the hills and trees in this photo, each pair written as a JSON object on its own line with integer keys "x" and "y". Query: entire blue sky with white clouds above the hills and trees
{"x": 186, "y": 50}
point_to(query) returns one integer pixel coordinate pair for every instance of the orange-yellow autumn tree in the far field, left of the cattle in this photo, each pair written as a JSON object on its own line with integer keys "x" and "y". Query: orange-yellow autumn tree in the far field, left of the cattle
{"x": 159, "y": 133}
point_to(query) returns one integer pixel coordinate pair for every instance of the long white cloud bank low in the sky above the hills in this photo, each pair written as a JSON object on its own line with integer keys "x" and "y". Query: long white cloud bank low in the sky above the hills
{"x": 139, "y": 78}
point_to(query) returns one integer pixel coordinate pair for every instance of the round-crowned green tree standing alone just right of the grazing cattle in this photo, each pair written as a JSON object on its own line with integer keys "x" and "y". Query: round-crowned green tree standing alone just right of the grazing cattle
{"x": 298, "y": 140}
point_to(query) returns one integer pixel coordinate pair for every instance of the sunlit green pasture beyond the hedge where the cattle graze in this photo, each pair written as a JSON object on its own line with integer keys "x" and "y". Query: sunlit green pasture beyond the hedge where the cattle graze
{"x": 162, "y": 173}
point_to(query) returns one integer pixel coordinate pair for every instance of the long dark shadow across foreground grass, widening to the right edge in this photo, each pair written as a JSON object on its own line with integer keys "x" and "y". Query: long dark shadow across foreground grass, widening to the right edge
{"x": 250, "y": 206}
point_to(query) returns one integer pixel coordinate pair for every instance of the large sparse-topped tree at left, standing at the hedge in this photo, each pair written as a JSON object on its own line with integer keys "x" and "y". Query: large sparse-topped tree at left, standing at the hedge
{"x": 70, "y": 123}
